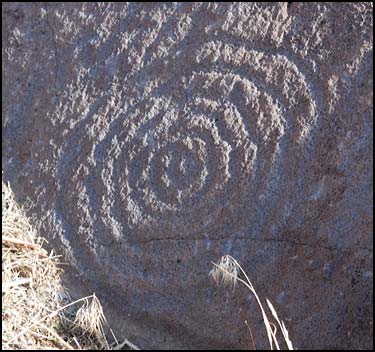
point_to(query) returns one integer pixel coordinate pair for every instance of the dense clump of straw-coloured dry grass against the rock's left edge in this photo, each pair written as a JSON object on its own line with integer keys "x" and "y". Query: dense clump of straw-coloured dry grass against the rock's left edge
{"x": 37, "y": 312}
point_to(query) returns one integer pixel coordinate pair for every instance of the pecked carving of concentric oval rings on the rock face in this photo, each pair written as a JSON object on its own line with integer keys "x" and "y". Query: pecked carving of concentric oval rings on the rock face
{"x": 202, "y": 150}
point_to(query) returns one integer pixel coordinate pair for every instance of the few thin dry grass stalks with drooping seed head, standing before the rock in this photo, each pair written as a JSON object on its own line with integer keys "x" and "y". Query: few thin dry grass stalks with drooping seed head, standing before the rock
{"x": 226, "y": 271}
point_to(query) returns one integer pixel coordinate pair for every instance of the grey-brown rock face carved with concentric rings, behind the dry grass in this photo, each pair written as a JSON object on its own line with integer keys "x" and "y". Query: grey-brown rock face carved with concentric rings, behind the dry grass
{"x": 147, "y": 140}
